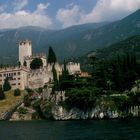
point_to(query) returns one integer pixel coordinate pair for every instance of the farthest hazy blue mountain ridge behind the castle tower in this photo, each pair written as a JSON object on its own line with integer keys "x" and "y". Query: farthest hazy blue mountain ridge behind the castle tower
{"x": 41, "y": 39}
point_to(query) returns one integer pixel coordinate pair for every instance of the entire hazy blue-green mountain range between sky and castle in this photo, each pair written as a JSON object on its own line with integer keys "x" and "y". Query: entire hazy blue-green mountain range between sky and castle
{"x": 70, "y": 42}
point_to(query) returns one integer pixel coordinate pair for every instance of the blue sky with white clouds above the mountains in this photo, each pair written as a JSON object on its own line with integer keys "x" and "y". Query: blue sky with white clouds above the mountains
{"x": 57, "y": 14}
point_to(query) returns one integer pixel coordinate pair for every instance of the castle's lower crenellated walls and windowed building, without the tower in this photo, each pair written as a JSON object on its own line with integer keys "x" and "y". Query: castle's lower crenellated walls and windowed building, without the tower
{"x": 23, "y": 77}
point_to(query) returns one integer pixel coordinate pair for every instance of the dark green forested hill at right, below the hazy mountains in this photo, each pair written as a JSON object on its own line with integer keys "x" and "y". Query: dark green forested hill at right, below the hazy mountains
{"x": 130, "y": 45}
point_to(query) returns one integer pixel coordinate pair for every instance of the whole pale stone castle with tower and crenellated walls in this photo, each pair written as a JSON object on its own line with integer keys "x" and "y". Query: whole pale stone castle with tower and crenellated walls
{"x": 23, "y": 77}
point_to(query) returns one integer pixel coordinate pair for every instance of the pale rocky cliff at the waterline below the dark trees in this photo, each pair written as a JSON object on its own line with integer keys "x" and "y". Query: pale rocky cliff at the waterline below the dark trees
{"x": 60, "y": 113}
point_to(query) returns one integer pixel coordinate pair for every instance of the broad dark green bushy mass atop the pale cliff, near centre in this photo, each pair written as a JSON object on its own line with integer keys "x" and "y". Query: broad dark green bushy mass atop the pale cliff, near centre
{"x": 84, "y": 98}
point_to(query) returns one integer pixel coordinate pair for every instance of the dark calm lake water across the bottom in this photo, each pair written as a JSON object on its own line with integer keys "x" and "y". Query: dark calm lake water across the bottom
{"x": 71, "y": 130}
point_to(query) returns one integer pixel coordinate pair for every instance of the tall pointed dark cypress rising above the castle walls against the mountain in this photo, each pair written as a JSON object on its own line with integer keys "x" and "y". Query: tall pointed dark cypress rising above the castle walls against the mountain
{"x": 51, "y": 56}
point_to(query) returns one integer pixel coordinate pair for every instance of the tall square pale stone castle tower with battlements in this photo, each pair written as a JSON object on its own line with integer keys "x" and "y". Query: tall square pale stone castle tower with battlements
{"x": 25, "y": 50}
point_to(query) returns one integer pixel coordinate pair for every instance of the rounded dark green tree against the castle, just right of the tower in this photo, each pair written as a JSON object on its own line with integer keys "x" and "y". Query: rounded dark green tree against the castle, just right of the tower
{"x": 36, "y": 63}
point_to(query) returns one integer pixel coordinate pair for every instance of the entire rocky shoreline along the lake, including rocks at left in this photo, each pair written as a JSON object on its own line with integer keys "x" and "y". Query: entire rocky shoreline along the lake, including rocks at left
{"x": 60, "y": 113}
